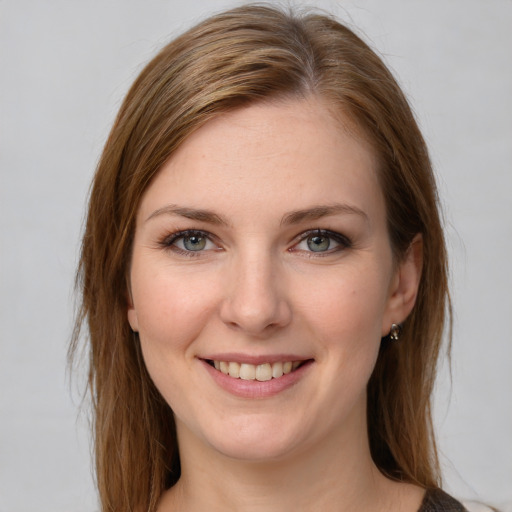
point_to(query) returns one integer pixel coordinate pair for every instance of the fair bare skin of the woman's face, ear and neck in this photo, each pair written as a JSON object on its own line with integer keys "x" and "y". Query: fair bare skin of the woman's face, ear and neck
{"x": 258, "y": 289}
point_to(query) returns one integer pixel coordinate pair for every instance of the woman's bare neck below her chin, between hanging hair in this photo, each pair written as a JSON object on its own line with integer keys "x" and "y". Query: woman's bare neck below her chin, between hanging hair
{"x": 336, "y": 475}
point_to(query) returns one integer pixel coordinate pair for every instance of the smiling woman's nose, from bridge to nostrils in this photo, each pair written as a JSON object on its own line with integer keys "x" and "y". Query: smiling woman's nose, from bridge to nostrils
{"x": 256, "y": 301}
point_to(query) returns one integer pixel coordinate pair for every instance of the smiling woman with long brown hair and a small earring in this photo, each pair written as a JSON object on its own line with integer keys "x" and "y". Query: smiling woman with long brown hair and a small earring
{"x": 264, "y": 279}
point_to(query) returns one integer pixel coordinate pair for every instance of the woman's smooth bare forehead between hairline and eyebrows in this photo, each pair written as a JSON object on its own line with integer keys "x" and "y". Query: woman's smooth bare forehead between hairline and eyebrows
{"x": 291, "y": 153}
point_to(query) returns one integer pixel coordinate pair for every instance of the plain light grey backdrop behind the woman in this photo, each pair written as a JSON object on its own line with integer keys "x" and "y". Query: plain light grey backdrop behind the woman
{"x": 65, "y": 65}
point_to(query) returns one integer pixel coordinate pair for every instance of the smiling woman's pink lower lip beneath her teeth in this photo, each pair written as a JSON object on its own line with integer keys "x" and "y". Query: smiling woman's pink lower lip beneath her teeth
{"x": 254, "y": 388}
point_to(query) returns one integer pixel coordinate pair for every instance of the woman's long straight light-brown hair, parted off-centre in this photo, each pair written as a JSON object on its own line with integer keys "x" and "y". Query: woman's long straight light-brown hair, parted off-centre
{"x": 246, "y": 55}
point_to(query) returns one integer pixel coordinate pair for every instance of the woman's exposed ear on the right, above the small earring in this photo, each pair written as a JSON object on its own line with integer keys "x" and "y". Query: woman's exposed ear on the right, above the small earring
{"x": 404, "y": 285}
